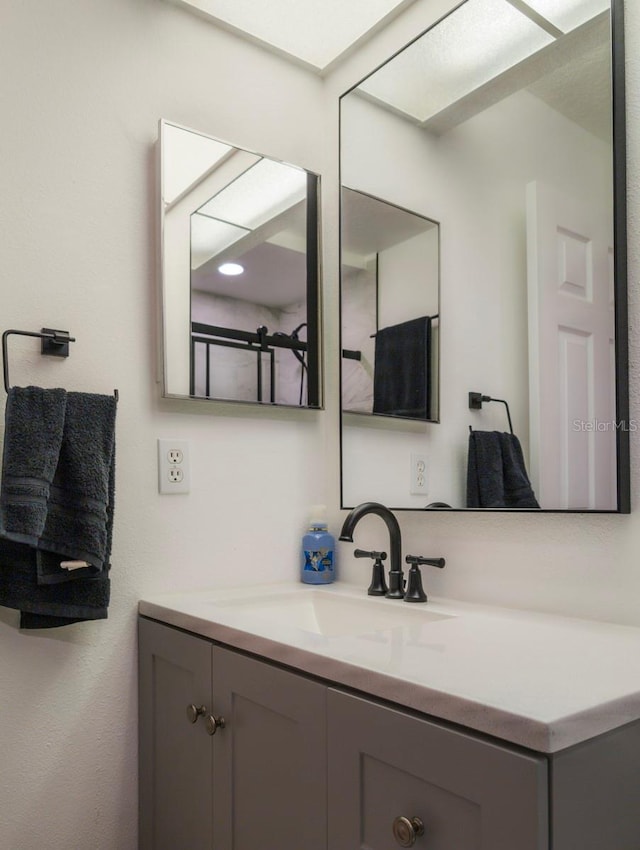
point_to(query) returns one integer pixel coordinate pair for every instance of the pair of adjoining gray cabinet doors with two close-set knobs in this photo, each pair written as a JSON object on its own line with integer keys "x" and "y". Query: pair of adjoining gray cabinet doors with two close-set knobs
{"x": 259, "y": 781}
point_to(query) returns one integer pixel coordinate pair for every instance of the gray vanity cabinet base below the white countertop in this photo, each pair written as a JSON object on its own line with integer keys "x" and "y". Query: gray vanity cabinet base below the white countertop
{"x": 294, "y": 763}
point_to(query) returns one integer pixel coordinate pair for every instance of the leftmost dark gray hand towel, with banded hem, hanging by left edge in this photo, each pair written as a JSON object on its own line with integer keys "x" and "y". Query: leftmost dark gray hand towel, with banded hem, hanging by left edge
{"x": 34, "y": 423}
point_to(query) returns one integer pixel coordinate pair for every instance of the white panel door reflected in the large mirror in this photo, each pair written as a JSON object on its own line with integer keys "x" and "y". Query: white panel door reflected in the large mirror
{"x": 571, "y": 351}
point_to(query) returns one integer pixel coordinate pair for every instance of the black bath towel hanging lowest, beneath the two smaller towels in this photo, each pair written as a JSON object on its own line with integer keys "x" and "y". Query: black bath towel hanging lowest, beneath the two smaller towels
{"x": 46, "y": 606}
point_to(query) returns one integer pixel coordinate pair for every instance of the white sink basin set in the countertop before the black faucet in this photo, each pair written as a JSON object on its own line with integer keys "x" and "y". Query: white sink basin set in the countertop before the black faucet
{"x": 323, "y": 613}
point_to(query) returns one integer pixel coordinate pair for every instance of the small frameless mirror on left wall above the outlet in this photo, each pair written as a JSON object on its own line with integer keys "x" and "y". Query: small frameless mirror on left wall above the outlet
{"x": 240, "y": 274}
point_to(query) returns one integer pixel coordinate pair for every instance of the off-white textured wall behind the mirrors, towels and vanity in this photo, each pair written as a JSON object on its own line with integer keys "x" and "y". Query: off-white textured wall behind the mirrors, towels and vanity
{"x": 83, "y": 86}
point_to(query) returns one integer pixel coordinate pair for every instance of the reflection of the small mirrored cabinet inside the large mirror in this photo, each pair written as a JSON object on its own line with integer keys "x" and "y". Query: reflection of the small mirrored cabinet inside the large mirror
{"x": 390, "y": 282}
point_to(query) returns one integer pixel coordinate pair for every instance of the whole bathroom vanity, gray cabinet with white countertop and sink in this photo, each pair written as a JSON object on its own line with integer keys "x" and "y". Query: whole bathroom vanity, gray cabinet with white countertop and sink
{"x": 288, "y": 717}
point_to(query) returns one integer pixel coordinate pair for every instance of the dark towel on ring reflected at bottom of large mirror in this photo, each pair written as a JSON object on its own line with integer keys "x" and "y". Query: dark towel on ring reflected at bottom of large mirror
{"x": 496, "y": 472}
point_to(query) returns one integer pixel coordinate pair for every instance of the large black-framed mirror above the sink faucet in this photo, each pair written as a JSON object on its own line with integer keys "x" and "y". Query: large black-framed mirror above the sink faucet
{"x": 501, "y": 127}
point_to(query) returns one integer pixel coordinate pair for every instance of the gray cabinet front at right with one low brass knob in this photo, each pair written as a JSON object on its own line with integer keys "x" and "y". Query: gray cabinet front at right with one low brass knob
{"x": 469, "y": 794}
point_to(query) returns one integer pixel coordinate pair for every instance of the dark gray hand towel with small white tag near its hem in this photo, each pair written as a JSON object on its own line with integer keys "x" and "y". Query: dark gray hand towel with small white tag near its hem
{"x": 79, "y": 520}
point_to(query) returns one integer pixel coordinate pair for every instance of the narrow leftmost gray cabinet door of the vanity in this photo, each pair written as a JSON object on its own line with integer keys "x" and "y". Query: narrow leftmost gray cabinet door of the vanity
{"x": 175, "y": 754}
